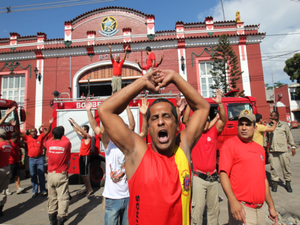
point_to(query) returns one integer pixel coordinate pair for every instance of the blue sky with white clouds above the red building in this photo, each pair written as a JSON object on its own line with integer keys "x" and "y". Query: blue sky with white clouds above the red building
{"x": 278, "y": 18}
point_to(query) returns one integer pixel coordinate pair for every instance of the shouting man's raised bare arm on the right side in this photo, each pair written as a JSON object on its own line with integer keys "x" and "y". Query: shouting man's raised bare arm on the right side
{"x": 188, "y": 137}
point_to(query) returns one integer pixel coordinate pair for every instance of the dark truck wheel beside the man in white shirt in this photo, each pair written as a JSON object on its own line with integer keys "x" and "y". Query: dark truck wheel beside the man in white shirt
{"x": 97, "y": 172}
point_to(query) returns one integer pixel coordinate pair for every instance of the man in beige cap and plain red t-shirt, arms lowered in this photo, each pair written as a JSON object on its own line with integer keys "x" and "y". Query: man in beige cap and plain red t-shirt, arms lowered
{"x": 243, "y": 176}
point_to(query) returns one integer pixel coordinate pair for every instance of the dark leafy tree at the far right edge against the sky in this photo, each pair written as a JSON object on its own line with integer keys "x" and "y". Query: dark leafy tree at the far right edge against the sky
{"x": 292, "y": 67}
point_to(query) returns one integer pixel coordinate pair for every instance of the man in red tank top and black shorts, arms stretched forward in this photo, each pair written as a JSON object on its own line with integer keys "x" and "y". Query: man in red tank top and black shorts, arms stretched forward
{"x": 84, "y": 152}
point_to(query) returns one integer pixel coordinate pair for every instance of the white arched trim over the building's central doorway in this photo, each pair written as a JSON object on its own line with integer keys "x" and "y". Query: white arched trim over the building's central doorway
{"x": 75, "y": 86}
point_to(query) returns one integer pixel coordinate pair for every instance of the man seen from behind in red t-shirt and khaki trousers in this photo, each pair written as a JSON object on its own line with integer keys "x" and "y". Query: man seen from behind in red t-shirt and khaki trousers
{"x": 58, "y": 152}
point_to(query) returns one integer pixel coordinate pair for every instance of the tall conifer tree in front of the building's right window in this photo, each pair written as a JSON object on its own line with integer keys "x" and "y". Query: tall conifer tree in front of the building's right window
{"x": 225, "y": 62}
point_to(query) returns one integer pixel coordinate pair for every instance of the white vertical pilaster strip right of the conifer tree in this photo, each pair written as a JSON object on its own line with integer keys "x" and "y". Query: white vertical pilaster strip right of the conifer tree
{"x": 245, "y": 68}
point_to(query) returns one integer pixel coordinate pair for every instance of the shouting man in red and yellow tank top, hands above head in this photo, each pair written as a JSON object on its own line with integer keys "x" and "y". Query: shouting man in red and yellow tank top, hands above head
{"x": 159, "y": 174}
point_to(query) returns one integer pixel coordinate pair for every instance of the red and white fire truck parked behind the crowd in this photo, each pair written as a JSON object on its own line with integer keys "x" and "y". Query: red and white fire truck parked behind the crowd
{"x": 63, "y": 109}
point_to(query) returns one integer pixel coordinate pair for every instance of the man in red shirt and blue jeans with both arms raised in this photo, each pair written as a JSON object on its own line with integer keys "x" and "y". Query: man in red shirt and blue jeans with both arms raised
{"x": 36, "y": 158}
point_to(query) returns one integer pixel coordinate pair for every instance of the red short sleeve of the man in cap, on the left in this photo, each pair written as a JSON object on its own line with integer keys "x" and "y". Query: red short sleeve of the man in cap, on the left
{"x": 226, "y": 158}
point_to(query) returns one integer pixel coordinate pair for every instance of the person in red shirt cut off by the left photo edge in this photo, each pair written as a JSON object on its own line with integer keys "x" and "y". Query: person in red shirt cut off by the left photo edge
{"x": 5, "y": 150}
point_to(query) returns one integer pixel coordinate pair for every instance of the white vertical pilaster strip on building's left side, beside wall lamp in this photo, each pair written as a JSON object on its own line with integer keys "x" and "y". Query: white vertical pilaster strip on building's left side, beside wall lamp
{"x": 39, "y": 95}
